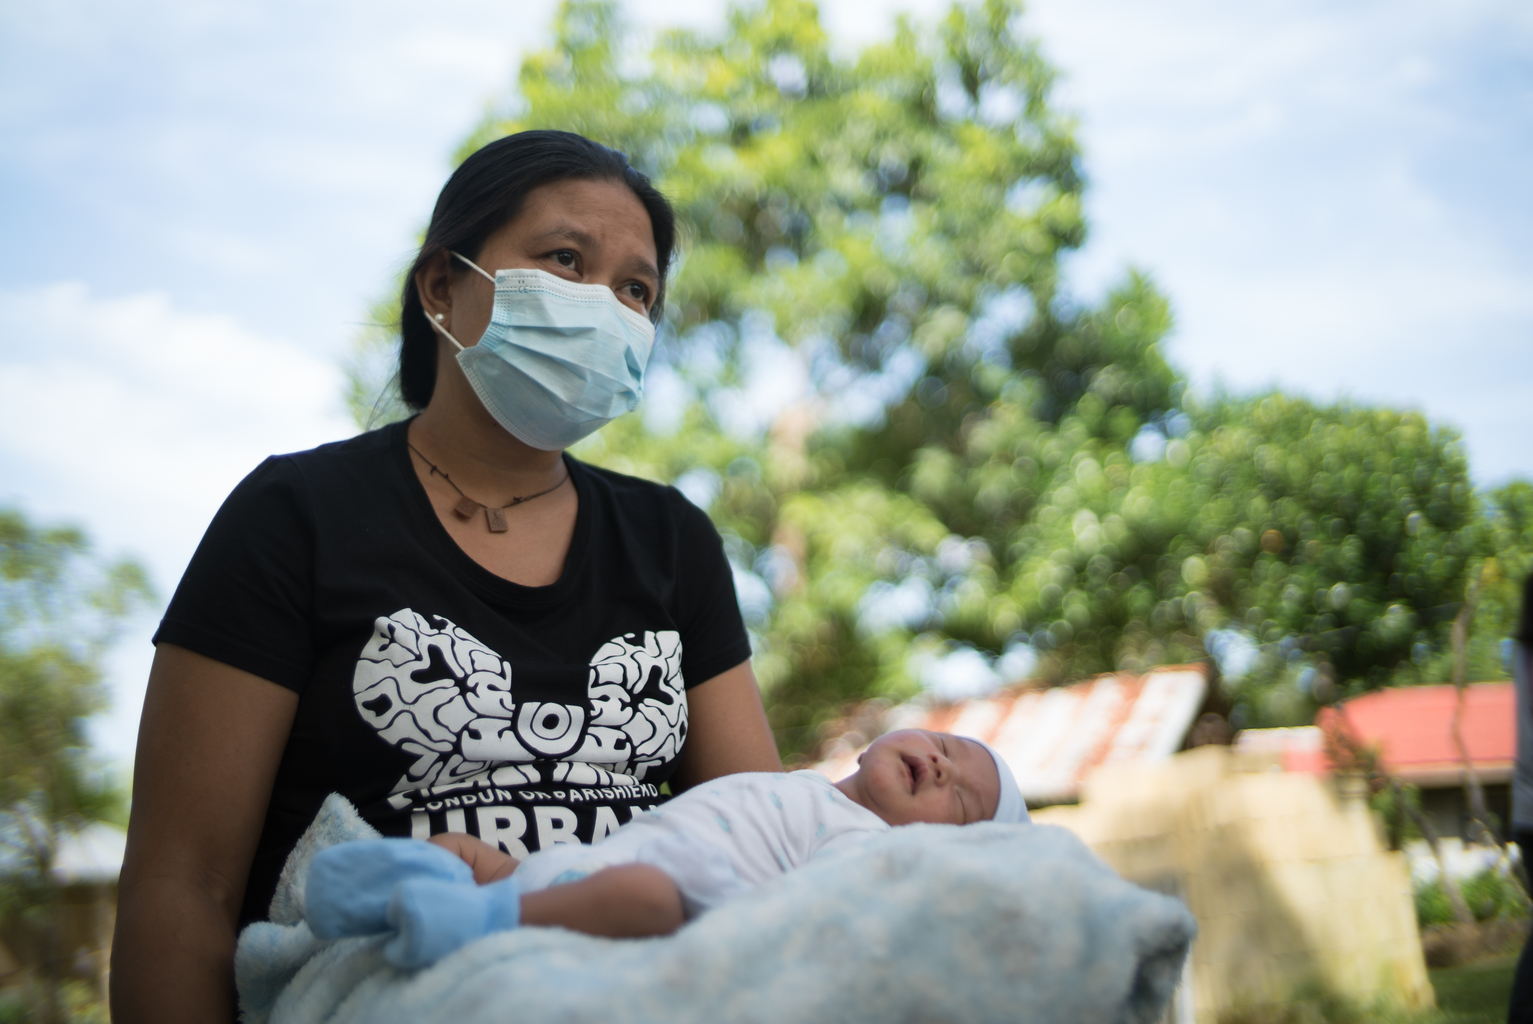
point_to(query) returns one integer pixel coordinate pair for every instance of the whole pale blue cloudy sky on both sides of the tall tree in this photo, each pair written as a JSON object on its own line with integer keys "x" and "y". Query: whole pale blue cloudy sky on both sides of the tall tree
{"x": 200, "y": 202}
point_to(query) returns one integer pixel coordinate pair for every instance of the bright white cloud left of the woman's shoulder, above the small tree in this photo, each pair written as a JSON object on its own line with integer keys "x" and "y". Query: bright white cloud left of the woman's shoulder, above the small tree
{"x": 136, "y": 419}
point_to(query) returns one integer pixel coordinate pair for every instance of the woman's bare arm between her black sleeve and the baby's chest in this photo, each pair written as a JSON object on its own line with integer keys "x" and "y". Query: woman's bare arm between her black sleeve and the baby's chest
{"x": 726, "y": 730}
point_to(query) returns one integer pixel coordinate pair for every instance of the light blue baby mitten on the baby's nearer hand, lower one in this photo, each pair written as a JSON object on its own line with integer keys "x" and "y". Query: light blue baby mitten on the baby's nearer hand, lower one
{"x": 433, "y": 917}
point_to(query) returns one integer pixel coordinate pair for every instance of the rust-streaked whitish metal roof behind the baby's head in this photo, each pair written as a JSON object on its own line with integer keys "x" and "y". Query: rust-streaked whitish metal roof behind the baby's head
{"x": 1052, "y": 738}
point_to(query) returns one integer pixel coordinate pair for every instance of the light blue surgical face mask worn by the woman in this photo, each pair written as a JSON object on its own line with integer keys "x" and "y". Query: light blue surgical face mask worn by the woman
{"x": 559, "y": 359}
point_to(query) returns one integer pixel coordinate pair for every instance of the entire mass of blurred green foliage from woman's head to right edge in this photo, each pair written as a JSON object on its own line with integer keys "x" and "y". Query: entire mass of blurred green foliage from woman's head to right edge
{"x": 933, "y": 468}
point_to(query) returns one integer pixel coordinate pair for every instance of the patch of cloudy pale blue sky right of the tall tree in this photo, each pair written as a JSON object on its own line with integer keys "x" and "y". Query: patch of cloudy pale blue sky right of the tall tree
{"x": 1330, "y": 195}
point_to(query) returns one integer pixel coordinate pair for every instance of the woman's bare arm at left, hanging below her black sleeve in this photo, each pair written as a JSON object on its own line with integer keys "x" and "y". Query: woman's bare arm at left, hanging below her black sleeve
{"x": 209, "y": 747}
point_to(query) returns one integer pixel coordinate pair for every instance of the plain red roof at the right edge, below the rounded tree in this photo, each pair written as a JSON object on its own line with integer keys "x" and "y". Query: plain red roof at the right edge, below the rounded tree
{"x": 1413, "y": 730}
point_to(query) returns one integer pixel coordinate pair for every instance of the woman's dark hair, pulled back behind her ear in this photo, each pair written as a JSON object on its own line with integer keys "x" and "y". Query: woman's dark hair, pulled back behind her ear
{"x": 485, "y": 194}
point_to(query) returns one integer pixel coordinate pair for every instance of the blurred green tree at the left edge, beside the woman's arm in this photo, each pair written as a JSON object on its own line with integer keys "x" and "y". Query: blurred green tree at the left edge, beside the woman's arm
{"x": 59, "y": 611}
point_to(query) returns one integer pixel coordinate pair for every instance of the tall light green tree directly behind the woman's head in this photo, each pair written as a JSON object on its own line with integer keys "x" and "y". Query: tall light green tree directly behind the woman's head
{"x": 888, "y": 228}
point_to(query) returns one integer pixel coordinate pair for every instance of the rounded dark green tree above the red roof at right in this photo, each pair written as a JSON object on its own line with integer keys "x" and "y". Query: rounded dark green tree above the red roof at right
{"x": 1334, "y": 543}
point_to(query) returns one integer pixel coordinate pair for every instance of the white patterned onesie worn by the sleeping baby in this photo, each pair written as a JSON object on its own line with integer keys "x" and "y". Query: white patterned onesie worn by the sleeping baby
{"x": 720, "y": 839}
